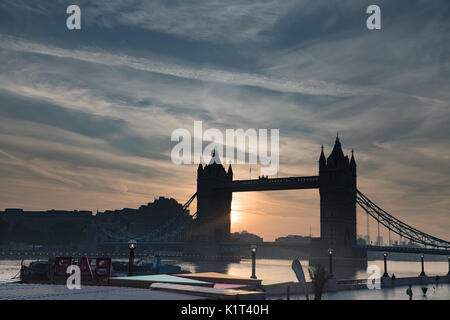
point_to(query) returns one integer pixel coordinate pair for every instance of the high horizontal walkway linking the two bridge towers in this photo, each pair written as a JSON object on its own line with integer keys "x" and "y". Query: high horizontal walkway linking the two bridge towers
{"x": 266, "y": 184}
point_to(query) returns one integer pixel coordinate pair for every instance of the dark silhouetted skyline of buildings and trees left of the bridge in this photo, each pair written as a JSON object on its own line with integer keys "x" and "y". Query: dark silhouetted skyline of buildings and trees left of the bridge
{"x": 73, "y": 228}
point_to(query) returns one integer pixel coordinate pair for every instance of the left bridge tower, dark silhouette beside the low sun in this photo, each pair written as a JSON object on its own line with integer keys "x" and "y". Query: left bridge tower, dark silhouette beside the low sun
{"x": 213, "y": 206}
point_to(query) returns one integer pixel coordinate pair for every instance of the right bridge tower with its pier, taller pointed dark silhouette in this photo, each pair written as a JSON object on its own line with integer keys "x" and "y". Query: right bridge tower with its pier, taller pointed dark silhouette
{"x": 337, "y": 189}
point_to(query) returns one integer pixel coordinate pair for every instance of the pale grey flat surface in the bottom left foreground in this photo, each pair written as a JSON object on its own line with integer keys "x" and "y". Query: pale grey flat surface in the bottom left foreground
{"x": 16, "y": 291}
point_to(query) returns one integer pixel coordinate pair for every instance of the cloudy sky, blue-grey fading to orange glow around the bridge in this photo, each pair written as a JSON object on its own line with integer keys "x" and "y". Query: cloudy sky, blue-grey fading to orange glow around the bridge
{"x": 86, "y": 115}
